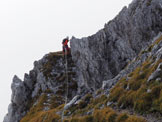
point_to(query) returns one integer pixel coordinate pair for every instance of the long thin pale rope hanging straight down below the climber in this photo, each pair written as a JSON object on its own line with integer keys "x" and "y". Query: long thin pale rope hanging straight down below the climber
{"x": 67, "y": 85}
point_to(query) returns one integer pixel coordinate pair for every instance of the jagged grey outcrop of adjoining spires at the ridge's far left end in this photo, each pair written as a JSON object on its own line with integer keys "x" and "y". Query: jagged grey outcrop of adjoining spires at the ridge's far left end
{"x": 20, "y": 99}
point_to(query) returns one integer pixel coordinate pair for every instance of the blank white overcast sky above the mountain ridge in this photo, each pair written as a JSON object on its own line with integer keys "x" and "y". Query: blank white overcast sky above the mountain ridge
{"x": 29, "y": 29}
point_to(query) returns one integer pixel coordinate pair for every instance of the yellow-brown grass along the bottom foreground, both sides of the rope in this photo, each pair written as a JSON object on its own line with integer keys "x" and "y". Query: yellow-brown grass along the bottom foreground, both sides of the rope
{"x": 77, "y": 112}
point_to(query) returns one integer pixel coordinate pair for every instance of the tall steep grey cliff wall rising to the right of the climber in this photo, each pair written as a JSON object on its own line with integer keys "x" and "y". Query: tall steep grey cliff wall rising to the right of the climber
{"x": 103, "y": 55}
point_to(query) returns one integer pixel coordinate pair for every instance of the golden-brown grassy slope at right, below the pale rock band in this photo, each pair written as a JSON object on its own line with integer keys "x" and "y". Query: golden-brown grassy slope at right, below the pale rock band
{"x": 135, "y": 92}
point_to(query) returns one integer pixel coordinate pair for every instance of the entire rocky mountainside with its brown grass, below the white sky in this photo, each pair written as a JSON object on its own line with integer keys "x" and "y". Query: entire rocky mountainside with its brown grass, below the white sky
{"x": 114, "y": 75}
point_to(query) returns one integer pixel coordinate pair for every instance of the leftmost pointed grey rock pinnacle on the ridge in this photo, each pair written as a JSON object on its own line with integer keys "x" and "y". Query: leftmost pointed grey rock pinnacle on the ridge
{"x": 19, "y": 97}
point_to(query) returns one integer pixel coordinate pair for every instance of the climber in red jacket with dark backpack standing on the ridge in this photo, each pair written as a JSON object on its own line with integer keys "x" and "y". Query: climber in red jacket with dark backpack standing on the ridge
{"x": 65, "y": 46}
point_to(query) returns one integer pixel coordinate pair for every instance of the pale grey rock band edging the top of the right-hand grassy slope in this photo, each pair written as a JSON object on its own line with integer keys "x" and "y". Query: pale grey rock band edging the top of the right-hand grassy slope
{"x": 155, "y": 52}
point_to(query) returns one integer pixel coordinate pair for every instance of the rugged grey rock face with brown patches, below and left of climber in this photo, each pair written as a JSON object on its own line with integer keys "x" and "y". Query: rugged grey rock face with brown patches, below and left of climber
{"x": 48, "y": 74}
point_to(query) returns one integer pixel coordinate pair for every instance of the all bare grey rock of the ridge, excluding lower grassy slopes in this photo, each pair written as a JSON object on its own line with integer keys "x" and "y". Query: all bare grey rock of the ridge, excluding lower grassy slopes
{"x": 97, "y": 61}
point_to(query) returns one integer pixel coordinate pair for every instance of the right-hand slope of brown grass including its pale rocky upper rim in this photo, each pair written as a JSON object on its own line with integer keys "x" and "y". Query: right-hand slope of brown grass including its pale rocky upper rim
{"x": 138, "y": 88}
